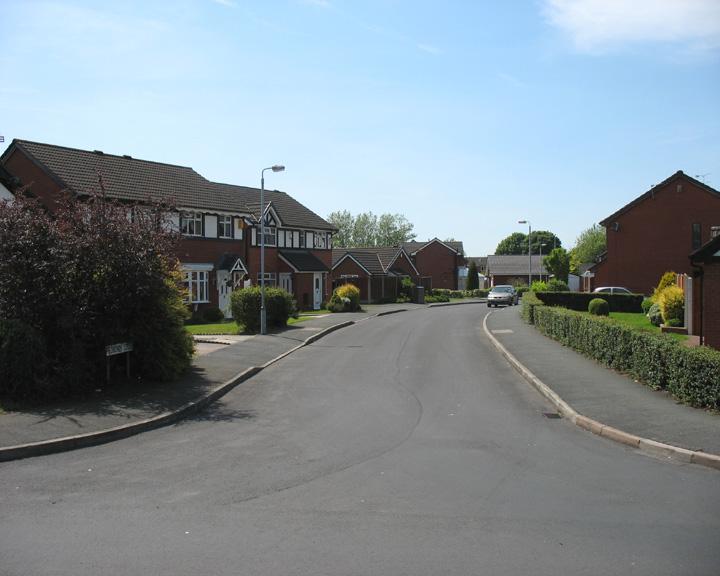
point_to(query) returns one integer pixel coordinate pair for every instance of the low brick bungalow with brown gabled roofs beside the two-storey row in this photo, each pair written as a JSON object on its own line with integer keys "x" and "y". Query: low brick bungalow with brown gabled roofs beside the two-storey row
{"x": 377, "y": 272}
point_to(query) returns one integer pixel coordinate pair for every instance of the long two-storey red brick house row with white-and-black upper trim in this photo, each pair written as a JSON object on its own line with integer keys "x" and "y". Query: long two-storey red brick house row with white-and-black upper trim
{"x": 219, "y": 223}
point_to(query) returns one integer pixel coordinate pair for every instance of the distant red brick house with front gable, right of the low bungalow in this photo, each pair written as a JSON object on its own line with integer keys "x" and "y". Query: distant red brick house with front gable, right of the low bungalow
{"x": 437, "y": 262}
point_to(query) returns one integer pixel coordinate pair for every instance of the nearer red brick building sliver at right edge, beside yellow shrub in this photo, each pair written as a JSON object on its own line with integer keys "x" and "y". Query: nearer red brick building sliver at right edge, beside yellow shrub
{"x": 706, "y": 262}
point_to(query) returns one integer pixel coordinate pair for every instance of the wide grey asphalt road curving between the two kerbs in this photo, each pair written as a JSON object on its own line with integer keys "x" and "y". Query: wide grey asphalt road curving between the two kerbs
{"x": 402, "y": 445}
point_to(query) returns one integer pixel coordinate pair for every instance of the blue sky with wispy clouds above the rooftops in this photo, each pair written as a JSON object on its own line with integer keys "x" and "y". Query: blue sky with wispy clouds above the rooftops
{"x": 463, "y": 116}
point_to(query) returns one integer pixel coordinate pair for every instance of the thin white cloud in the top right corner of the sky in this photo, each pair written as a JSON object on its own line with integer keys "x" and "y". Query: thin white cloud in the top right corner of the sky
{"x": 600, "y": 25}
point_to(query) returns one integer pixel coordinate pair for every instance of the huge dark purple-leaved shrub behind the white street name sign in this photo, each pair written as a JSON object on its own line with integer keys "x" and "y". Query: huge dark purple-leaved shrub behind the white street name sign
{"x": 85, "y": 276}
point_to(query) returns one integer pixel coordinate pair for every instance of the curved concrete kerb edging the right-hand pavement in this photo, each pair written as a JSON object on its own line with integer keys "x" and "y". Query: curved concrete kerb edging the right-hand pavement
{"x": 651, "y": 447}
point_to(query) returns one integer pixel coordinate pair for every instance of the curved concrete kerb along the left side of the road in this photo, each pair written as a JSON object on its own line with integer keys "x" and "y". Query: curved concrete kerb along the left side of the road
{"x": 119, "y": 432}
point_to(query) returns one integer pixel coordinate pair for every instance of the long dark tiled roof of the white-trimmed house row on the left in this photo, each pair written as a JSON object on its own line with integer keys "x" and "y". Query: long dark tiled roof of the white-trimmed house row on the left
{"x": 126, "y": 178}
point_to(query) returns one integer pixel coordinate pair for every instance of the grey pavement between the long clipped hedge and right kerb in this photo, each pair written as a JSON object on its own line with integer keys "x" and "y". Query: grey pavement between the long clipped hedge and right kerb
{"x": 602, "y": 394}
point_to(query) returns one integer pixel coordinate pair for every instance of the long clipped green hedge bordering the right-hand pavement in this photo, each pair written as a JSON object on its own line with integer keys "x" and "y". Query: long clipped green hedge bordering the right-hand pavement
{"x": 689, "y": 374}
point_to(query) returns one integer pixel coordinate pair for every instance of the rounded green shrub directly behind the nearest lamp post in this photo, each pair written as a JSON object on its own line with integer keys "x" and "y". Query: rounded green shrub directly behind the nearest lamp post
{"x": 245, "y": 304}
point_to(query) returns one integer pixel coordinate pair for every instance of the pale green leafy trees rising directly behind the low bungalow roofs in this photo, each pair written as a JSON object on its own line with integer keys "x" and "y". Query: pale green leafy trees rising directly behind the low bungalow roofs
{"x": 367, "y": 229}
